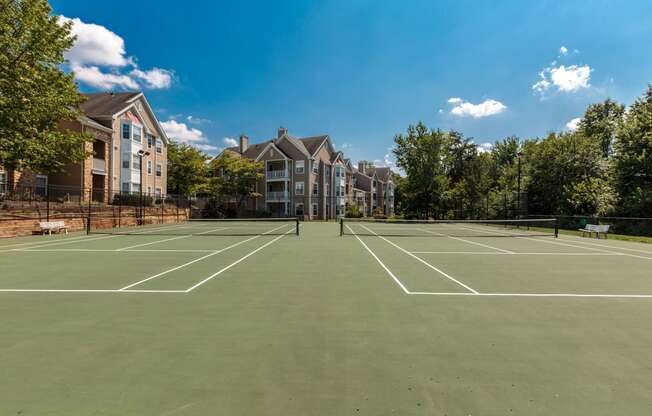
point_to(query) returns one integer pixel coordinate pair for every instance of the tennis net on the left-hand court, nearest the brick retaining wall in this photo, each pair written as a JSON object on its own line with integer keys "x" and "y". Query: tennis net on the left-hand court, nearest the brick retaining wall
{"x": 207, "y": 227}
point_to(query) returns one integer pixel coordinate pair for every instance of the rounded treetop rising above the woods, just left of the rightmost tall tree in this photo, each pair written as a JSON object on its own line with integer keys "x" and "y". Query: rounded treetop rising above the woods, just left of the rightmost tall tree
{"x": 600, "y": 123}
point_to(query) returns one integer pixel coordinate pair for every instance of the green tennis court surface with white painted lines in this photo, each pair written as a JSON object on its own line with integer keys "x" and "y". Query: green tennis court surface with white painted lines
{"x": 462, "y": 323}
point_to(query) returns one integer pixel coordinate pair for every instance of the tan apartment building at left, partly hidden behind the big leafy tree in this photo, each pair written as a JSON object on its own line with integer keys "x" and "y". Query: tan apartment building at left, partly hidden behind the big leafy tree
{"x": 125, "y": 132}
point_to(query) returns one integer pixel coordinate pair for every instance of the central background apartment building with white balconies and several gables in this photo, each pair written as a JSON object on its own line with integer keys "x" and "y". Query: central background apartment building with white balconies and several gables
{"x": 307, "y": 177}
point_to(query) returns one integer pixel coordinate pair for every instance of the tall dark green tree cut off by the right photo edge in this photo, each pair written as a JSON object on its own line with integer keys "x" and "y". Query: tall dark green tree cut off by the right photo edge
{"x": 632, "y": 160}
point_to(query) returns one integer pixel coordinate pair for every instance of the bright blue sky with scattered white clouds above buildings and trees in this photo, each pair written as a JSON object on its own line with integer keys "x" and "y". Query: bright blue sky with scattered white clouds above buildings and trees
{"x": 362, "y": 71}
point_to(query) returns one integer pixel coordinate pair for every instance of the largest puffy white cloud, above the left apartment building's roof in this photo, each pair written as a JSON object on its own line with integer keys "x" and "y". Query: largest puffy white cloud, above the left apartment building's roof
{"x": 99, "y": 59}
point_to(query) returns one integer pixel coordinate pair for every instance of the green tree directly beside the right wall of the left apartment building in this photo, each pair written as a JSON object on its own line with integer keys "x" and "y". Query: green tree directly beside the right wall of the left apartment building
{"x": 187, "y": 170}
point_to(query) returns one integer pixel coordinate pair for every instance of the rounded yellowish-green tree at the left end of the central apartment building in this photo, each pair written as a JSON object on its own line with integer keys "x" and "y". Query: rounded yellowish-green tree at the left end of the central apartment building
{"x": 234, "y": 177}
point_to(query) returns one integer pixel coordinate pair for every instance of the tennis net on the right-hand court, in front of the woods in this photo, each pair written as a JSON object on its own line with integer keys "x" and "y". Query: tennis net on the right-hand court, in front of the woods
{"x": 449, "y": 228}
